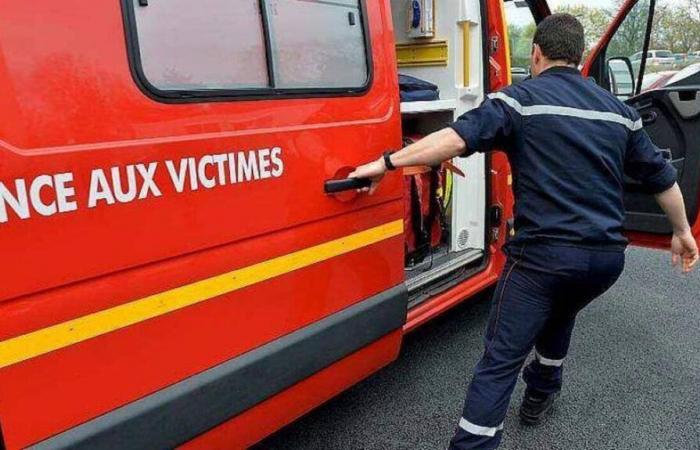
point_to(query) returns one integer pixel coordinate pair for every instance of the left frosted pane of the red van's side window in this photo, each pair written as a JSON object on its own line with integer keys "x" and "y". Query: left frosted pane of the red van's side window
{"x": 207, "y": 44}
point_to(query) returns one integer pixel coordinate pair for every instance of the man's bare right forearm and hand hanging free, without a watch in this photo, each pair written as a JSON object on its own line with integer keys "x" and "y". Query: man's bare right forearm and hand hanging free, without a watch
{"x": 684, "y": 248}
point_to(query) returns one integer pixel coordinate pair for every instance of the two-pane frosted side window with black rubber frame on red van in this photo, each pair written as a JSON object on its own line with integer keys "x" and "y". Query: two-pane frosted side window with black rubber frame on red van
{"x": 221, "y": 48}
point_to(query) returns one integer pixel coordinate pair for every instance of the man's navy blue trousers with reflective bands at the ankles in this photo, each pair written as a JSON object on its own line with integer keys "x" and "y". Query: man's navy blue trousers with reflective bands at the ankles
{"x": 540, "y": 292}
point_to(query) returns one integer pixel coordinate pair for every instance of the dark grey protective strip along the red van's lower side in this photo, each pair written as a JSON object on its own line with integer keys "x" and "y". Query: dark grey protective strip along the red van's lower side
{"x": 178, "y": 413}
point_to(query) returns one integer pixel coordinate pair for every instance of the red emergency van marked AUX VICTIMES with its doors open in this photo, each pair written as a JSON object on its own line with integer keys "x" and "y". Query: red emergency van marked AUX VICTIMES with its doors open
{"x": 173, "y": 272}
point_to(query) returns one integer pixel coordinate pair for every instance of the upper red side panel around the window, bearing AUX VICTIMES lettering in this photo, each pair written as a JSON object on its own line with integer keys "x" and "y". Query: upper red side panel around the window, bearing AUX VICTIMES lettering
{"x": 78, "y": 109}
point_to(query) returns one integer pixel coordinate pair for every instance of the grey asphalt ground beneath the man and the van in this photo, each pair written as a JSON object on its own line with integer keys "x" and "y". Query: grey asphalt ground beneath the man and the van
{"x": 632, "y": 378}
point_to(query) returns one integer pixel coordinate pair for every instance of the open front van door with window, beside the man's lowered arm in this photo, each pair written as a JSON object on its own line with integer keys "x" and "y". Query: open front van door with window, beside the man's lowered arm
{"x": 670, "y": 114}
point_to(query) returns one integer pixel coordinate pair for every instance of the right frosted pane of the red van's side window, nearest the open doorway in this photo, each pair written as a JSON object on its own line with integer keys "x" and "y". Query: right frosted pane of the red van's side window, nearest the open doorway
{"x": 318, "y": 43}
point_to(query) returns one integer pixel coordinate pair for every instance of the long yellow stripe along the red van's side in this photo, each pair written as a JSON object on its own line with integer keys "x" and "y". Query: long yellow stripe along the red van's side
{"x": 31, "y": 345}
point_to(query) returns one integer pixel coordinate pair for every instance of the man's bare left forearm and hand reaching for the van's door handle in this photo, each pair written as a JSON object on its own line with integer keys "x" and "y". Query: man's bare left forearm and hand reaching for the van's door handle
{"x": 432, "y": 150}
